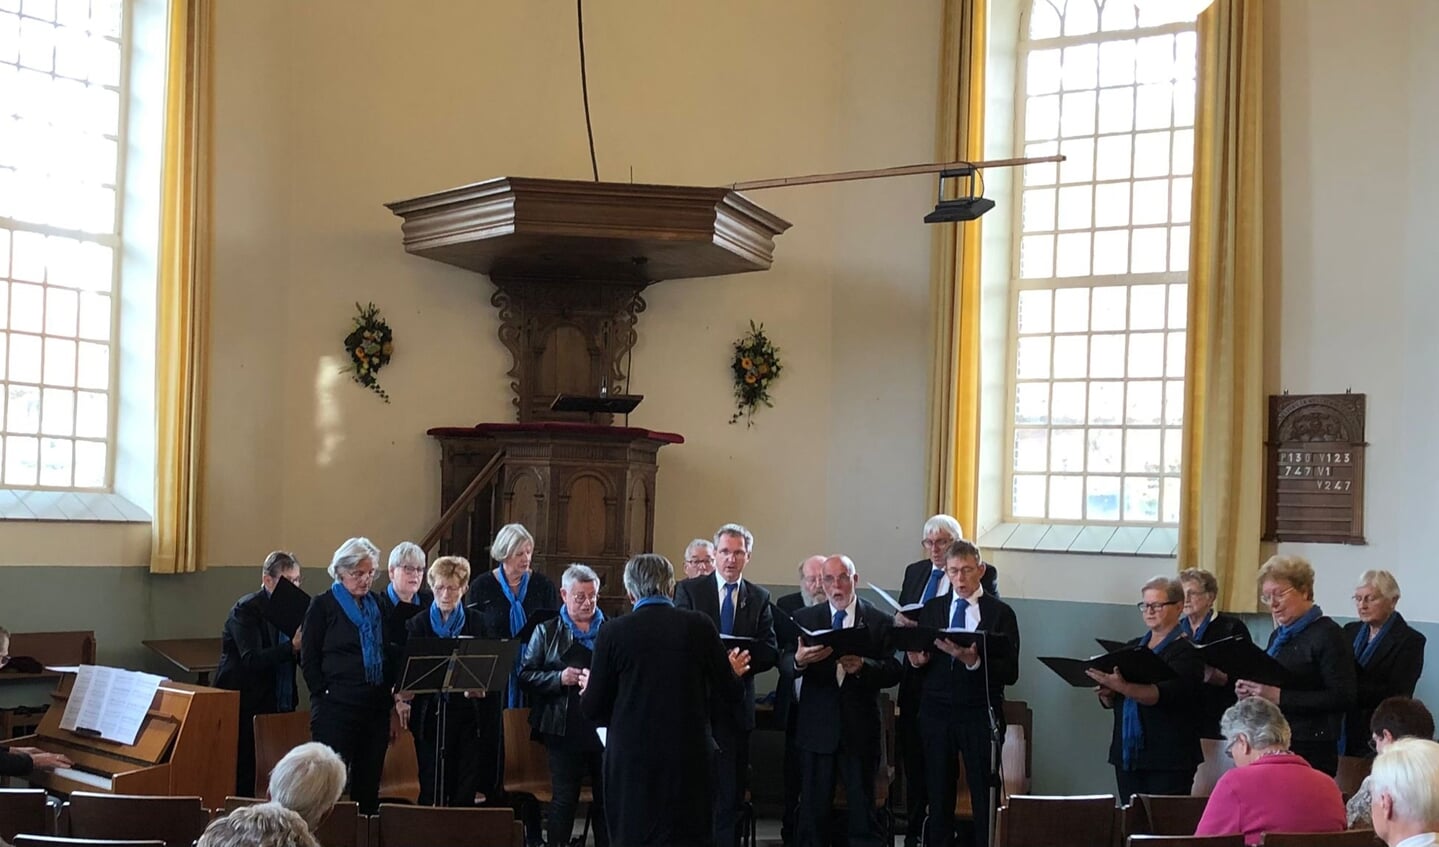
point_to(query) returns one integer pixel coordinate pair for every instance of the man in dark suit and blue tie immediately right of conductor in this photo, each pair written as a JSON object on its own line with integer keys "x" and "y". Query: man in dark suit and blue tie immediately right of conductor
{"x": 739, "y": 609}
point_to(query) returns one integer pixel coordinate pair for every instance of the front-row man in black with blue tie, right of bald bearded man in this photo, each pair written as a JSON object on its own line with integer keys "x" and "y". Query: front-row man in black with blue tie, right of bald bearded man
{"x": 962, "y": 692}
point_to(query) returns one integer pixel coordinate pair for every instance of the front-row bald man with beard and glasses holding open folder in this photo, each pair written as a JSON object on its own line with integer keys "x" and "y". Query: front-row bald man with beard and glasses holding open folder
{"x": 838, "y": 724}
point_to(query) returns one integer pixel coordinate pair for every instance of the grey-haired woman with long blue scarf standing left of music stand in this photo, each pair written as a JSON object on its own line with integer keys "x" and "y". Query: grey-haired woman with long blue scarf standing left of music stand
{"x": 349, "y": 667}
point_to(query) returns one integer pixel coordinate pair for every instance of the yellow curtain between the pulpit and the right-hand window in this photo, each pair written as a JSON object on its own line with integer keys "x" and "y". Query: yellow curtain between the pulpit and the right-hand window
{"x": 955, "y": 411}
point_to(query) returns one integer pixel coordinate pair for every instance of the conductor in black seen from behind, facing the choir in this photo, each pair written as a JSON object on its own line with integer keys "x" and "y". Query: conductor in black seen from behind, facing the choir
{"x": 657, "y": 704}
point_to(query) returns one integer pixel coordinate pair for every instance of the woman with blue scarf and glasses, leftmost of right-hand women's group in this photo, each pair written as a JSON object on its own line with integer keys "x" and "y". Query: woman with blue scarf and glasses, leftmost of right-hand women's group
{"x": 1155, "y": 748}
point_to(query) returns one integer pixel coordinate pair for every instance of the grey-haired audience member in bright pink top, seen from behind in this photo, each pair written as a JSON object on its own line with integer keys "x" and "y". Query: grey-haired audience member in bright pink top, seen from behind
{"x": 1270, "y": 790}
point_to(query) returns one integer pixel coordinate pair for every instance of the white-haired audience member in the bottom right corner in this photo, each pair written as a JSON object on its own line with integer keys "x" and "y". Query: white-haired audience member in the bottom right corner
{"x": 1405, "y": 793}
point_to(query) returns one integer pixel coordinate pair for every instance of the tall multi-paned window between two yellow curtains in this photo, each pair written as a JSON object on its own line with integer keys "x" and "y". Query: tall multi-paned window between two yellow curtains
{"x": 1102, "y": 252}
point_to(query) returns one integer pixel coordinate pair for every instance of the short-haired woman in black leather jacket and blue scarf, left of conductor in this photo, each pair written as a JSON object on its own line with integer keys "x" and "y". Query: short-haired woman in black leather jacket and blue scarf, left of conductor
{"x": 550, "y": 674}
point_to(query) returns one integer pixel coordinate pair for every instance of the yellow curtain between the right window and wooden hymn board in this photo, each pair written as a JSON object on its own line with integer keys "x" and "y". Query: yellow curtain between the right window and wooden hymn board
{"x": 1222, "y": 503}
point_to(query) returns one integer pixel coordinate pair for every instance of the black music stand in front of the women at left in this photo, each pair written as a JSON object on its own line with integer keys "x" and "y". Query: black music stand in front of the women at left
{"x": 450, "y": 667}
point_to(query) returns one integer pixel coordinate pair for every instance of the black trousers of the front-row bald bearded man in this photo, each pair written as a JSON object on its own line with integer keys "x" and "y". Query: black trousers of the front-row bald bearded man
{"x": 820, "y": 773}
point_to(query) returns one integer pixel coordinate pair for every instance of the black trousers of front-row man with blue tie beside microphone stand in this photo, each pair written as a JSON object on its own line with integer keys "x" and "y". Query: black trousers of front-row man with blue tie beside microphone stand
{"x": 950, "y": 736}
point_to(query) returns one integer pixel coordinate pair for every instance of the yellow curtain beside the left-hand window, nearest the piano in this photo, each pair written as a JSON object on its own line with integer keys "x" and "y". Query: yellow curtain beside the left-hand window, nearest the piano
{"x": 183, "y": 293}
